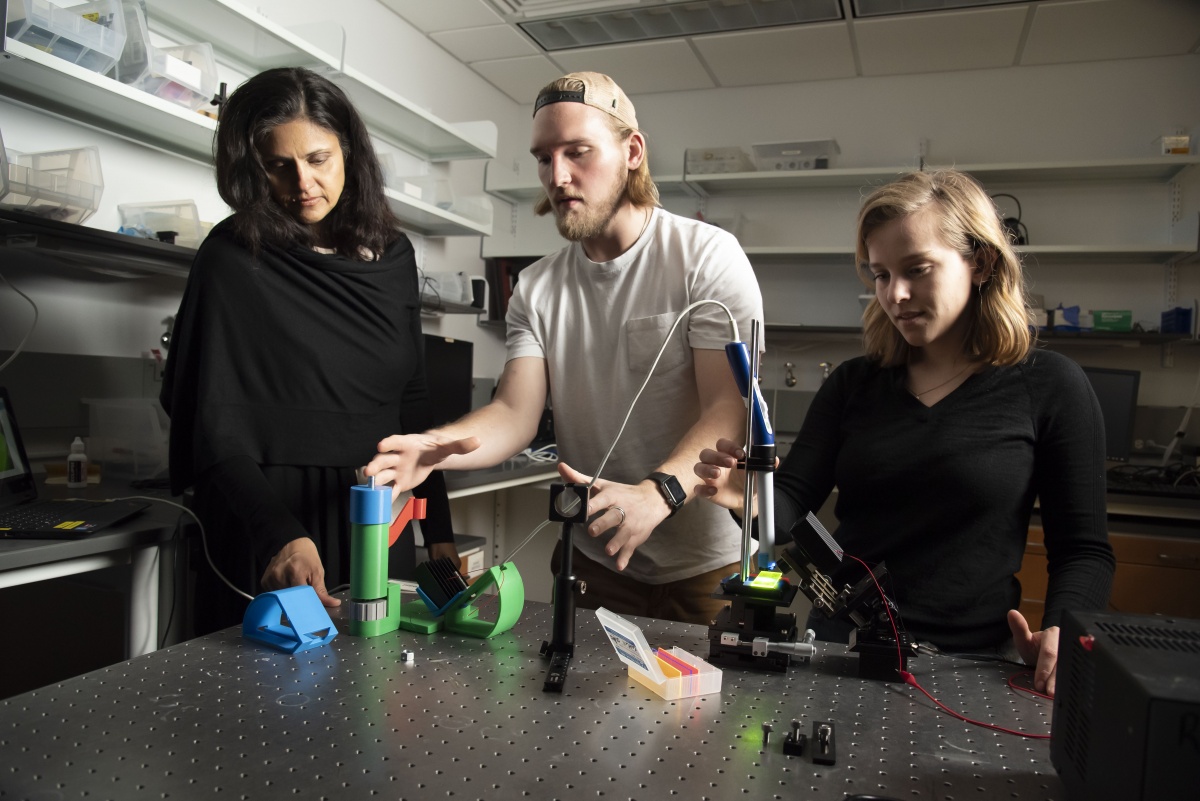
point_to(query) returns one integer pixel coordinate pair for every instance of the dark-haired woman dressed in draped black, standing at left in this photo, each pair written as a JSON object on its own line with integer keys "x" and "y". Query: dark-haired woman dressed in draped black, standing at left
{"x": 297, "y": 348}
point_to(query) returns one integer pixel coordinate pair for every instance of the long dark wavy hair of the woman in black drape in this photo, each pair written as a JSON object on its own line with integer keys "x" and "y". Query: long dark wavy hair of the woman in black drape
{"x": 362, "y": 218}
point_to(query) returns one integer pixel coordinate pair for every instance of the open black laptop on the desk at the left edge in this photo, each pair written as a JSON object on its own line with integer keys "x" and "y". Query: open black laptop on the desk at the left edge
{"x": 23, "y": 515}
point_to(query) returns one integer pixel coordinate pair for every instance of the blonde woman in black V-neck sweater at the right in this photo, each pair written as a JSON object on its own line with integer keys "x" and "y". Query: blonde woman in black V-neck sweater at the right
{"x": 941, "y": 438}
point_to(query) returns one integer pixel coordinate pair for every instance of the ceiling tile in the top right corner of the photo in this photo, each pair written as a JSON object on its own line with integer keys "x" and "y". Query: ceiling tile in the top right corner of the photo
{"x": 1112, "y": 29}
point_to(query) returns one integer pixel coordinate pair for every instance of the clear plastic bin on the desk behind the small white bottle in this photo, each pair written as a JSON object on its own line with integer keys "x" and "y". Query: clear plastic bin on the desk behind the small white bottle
{"x": 128, "y": 437}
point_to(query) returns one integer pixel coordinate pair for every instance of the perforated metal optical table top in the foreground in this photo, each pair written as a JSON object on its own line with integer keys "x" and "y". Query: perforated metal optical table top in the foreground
{"x": 469, "y": 719}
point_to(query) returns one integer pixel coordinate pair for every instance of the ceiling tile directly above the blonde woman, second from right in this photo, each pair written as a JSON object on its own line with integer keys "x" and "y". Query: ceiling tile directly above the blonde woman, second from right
{"x": 935, "y": 43}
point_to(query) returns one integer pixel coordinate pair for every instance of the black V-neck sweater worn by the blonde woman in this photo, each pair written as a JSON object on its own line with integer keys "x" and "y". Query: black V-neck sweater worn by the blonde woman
{"x": 944, "y": 495}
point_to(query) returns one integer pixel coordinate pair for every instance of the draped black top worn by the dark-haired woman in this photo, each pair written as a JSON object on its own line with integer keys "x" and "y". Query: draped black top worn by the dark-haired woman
{"x": 295, "y": 358}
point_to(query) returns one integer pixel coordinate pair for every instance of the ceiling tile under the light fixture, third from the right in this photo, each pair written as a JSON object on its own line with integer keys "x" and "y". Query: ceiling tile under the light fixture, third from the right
{"x": 781, "y": 56}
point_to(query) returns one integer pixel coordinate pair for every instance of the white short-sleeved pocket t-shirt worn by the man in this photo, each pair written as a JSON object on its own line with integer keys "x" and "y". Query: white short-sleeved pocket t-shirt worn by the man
{"x": 599, "y": 327}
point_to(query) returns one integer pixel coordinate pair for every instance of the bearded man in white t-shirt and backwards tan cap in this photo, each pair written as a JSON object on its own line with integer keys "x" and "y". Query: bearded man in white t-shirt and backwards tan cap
{"x": 585, "y": 324}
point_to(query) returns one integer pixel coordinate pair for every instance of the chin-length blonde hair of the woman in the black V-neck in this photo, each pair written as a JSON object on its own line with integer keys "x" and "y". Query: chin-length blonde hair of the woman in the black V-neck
{"x": 1000, "y": 332}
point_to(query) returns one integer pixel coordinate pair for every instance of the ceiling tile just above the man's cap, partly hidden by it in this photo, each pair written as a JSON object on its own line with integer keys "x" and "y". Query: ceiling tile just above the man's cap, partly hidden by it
{"x": 643, "y": 68}
